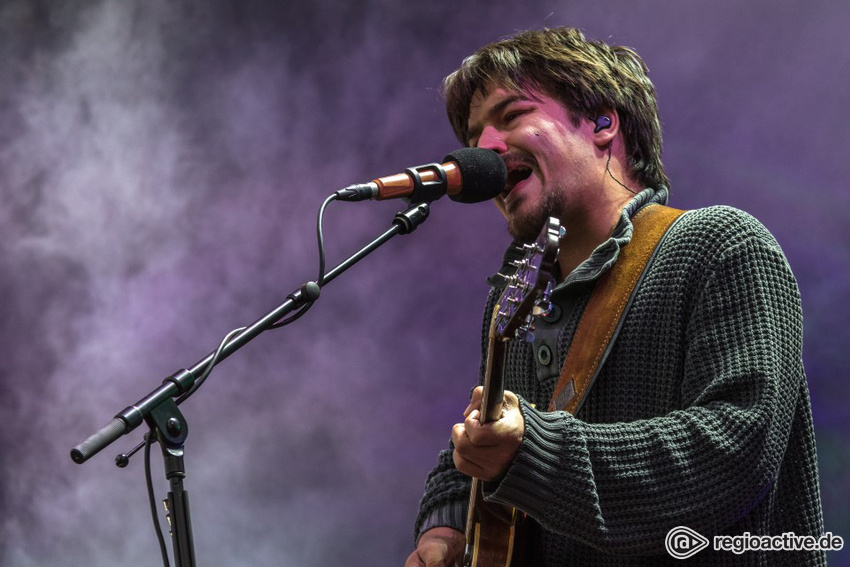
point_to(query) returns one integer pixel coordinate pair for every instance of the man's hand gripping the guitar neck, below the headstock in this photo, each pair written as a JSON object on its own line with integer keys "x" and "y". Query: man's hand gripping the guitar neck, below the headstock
{"x": 485, "y": 451}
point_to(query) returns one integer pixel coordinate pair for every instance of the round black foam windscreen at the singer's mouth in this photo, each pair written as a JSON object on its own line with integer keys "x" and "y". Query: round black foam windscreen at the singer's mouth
{"x": 483, "y": 174}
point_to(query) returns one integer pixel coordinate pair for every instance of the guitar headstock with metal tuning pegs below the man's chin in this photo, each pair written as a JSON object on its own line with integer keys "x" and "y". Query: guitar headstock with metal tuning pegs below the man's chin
{"x": 530, "y": 287}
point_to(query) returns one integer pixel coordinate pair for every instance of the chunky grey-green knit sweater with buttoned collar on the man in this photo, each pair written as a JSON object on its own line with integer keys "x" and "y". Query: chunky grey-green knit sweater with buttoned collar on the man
{"x": 700, "y": 417}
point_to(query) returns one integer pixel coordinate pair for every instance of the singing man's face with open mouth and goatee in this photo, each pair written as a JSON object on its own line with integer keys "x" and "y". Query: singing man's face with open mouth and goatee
{"x": 551, "y": 160}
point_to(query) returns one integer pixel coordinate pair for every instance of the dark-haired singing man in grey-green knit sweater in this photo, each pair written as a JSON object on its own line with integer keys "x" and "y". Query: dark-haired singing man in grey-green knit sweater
{"x": 700, "y": 415}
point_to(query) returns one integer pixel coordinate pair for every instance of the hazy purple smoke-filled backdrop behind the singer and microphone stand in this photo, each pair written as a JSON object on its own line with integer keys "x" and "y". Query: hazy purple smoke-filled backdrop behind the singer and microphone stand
{"x": 161, "y": 165}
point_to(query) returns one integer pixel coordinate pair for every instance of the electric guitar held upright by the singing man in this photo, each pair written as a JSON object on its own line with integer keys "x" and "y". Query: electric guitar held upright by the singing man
{"x": 491, "y": 529}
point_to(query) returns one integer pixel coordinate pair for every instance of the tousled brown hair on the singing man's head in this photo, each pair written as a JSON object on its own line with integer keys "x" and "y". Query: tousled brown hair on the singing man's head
{"x": 587, "y": 77}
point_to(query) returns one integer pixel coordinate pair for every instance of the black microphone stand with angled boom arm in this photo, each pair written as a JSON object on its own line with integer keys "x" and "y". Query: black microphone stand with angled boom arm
{"x": 161, "y": 413}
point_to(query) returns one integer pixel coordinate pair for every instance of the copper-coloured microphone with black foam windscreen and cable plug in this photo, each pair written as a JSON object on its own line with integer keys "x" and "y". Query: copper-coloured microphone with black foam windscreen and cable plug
{"x": 468, "y": 175}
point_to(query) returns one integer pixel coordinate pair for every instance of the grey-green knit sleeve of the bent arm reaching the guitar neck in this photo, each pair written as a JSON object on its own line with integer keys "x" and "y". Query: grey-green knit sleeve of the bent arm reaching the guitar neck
{"x": 622, "y": 486}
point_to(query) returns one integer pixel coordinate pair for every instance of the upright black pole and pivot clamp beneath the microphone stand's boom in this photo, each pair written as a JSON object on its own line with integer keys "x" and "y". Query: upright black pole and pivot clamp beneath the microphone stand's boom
{"x": 171, "y": 431}
